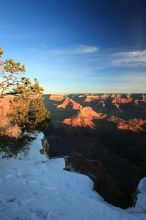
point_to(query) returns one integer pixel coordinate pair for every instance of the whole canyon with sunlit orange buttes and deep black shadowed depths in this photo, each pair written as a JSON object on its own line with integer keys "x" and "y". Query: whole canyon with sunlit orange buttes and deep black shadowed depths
{"x": 99, "y": 139}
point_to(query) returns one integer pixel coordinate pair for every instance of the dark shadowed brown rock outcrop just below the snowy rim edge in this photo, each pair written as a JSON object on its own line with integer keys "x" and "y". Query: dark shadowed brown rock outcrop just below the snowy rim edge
{"x": 103, "y": 183}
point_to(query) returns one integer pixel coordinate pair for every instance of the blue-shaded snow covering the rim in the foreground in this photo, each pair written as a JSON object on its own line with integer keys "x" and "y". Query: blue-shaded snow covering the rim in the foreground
{"x": 35, "y": 188}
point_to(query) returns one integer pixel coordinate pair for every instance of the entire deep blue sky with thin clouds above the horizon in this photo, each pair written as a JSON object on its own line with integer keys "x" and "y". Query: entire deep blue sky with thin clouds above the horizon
{"x": 78, "y": 45}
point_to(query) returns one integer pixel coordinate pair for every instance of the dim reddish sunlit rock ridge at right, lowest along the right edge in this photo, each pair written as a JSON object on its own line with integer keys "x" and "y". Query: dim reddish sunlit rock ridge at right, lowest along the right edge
{"x": 135, "y": 125}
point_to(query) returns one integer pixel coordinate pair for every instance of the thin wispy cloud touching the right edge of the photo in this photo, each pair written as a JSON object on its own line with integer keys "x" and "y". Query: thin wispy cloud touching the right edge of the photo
{"x": 130, "y": 58}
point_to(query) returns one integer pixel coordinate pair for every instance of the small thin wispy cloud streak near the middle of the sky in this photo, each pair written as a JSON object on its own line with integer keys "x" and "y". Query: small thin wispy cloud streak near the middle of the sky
{"x": 79, "y": 49}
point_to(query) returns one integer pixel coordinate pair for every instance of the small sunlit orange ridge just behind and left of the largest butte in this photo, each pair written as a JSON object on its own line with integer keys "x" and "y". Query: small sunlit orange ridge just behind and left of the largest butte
{"x": 67, "y": 102}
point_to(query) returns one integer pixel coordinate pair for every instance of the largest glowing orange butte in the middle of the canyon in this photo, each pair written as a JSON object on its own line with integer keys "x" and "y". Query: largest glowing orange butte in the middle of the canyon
{"x": 84, "y": 118}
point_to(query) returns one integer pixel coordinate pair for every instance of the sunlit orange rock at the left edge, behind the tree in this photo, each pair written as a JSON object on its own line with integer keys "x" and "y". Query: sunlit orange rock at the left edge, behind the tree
{"x": 7, "y": 127}
